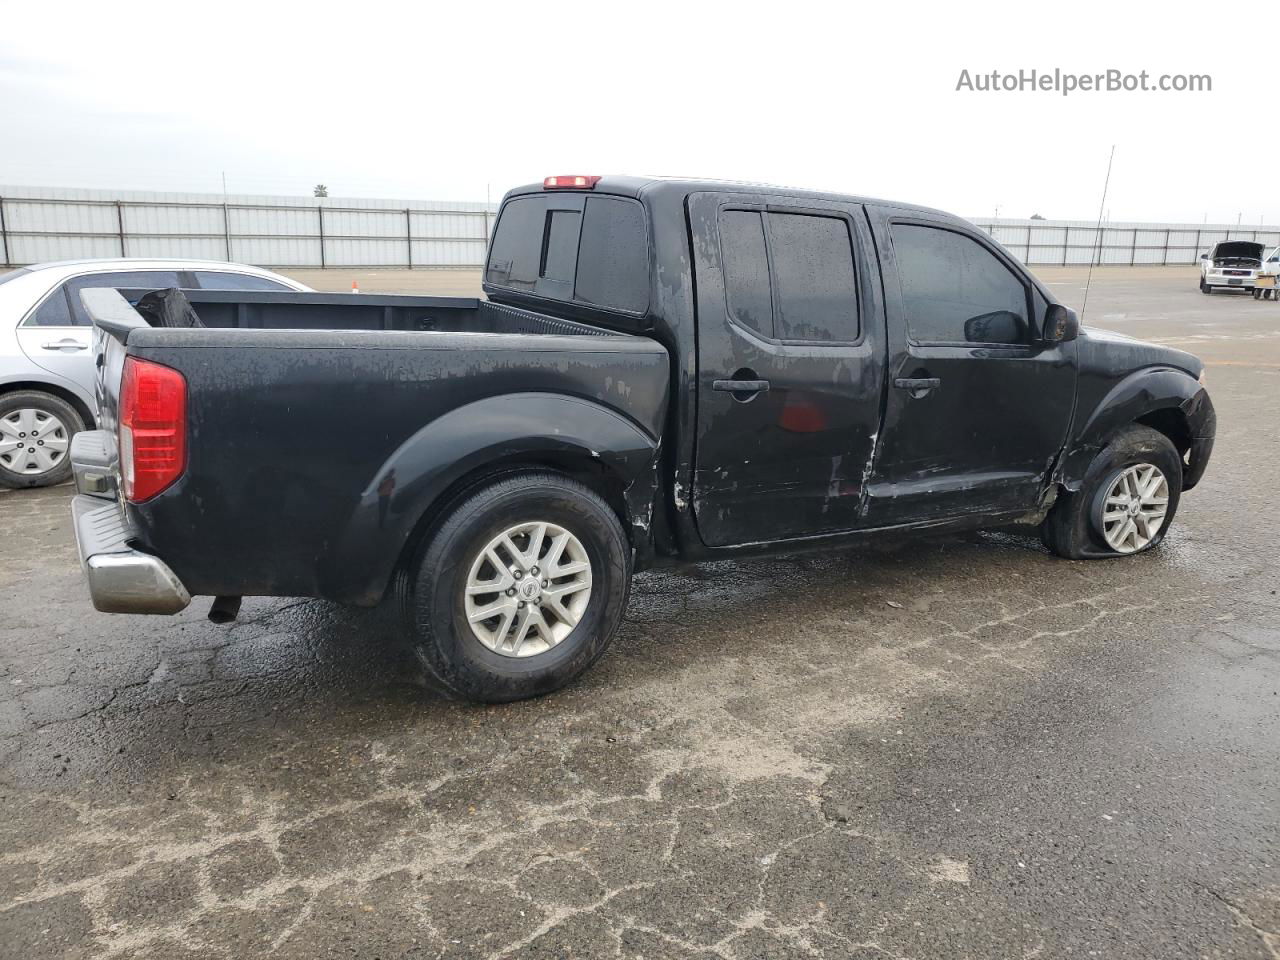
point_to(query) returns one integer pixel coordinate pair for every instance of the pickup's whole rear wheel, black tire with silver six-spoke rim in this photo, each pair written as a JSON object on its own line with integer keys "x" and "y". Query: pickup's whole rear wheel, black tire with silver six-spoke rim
{"x": 519, "y": 588}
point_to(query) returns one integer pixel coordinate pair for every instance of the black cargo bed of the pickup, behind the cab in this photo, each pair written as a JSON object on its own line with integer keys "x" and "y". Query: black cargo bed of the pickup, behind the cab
{"x": 321, "y": 427}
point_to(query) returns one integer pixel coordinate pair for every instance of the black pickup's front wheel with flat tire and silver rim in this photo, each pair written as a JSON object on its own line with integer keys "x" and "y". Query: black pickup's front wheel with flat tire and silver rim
{"x": 1126, "y": 502}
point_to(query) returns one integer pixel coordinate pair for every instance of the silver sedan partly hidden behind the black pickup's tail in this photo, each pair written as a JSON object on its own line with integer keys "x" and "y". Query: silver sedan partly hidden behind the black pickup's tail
{"x": 47, "y": 364}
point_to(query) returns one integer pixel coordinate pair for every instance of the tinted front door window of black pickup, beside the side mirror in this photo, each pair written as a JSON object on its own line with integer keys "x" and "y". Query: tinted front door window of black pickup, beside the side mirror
{"x": 956, "y": 290}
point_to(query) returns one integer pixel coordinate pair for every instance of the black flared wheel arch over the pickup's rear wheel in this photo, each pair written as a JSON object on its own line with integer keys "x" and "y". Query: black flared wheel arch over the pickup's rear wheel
{"x": 492, "y": 431}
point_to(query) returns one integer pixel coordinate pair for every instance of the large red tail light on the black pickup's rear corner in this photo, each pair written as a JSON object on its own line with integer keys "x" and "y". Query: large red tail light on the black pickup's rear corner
{"x": 153, "y": 428}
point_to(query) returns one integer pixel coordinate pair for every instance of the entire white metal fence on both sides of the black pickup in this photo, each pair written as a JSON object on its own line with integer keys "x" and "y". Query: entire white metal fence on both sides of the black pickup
{"x": 47, "y": 223}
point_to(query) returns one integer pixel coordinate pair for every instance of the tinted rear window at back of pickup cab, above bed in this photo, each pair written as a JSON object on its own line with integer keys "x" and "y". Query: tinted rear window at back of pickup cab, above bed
{"x": 574, "y": 249}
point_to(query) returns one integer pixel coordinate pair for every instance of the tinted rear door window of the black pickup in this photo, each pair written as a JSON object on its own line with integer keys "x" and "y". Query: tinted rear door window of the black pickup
{"x": 790, "y": 276}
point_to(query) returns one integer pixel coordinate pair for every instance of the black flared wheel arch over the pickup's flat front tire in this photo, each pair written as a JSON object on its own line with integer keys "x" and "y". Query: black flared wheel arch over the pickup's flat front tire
{"x": 1140, "y": 395}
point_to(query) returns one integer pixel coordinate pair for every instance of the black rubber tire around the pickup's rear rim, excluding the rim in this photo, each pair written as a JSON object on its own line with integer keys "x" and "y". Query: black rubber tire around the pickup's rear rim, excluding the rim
{"x": 432, "y": 600}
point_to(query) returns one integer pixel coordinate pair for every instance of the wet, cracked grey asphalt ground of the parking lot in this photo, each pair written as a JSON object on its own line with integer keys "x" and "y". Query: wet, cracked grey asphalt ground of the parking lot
{"x": 947, "y": 748}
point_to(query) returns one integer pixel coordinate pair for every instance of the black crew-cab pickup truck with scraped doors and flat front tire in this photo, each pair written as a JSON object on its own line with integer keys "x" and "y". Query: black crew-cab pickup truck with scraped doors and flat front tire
{"x": 664, "y": 371}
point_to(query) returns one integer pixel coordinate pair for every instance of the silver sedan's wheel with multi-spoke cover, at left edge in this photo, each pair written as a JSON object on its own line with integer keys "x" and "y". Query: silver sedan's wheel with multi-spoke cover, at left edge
{"x": 36, "y": 433}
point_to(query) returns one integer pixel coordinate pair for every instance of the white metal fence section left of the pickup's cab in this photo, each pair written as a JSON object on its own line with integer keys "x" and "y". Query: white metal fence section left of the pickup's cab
{"x": 44, "y": 223}
